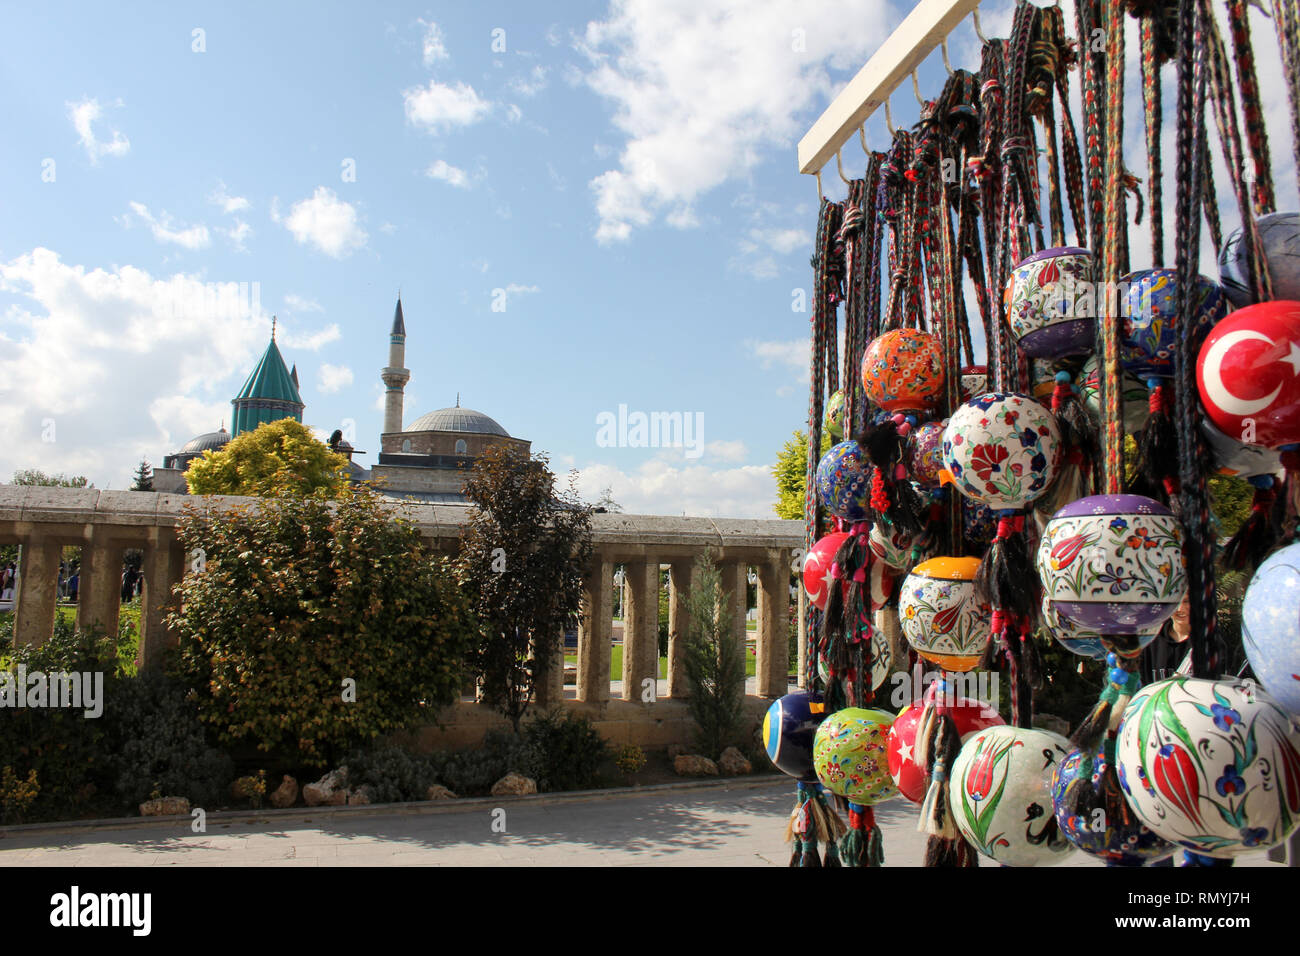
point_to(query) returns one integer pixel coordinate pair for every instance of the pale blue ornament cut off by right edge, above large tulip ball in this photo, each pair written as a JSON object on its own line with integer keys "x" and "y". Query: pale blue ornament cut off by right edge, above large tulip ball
{"x": 1271, "y": 626}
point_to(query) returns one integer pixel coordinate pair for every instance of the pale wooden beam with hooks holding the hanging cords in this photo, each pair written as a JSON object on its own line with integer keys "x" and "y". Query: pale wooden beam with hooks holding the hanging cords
{"x": 916, "y": 38}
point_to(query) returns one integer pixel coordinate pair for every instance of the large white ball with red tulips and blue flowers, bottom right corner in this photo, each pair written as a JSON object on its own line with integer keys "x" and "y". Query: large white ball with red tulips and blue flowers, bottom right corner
{"x": 1211, "y": 765}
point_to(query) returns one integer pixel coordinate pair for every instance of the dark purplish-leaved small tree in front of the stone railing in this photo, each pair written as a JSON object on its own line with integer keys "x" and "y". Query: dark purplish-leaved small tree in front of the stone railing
{"x": 523, "y": 555}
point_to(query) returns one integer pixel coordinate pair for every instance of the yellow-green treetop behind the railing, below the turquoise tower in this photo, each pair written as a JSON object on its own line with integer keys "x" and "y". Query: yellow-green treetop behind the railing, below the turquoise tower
{"x": 274, "y": 460}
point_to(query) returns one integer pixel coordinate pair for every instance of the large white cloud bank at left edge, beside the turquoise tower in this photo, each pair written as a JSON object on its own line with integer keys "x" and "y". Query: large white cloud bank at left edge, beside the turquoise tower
{"x": 122, "y": 364}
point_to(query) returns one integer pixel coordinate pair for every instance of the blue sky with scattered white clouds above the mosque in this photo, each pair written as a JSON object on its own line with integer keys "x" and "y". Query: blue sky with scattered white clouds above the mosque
{"x": 622, "y": 176}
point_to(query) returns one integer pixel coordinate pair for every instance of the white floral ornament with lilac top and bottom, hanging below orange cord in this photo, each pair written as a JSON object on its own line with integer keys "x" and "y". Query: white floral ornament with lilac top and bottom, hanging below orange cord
{"x": 1113, "y": 564}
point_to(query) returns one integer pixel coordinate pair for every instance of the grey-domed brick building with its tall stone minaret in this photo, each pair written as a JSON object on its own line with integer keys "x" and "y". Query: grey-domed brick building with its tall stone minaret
{"x": 427, "y": 461}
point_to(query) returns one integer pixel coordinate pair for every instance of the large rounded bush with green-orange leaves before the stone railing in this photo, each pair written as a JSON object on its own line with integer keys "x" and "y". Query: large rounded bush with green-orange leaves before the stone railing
{"x": 318, "y": 625}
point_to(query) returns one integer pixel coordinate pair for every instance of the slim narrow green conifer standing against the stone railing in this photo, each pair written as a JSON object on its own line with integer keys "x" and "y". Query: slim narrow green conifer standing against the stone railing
{"x": 716, "y": 660}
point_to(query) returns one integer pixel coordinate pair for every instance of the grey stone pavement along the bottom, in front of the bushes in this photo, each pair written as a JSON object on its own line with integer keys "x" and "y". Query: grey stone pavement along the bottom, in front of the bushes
{"x": 734, "y": 825}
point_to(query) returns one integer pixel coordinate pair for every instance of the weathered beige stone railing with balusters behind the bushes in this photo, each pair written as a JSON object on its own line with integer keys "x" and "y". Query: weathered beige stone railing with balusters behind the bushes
{"x": 103, "y": 525}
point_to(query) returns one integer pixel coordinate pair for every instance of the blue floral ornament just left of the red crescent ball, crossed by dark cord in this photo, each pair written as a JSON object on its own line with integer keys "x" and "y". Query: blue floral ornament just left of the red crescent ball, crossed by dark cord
{"x": 1150, "y": 336}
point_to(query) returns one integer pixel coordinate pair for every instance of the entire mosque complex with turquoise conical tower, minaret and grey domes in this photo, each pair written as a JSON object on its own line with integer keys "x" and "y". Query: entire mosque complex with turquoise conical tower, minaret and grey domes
{"x": 424, "y": 461}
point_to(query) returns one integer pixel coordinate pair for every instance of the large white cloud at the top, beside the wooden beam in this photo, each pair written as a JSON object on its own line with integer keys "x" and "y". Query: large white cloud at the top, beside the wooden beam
{"x": 704, "y": 92}
